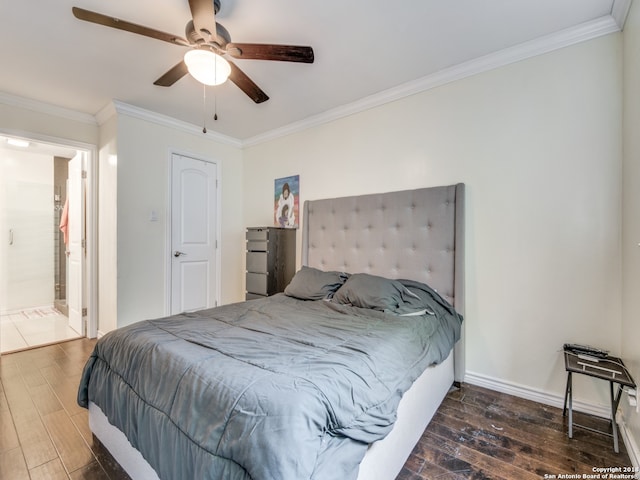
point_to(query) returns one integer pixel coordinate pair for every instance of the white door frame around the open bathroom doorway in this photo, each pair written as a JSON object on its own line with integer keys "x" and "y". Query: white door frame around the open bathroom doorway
{"x": 90, "y": 277}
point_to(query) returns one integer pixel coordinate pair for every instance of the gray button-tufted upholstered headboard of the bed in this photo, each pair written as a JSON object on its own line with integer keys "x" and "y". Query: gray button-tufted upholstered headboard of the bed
{"x": 413, "y": 234}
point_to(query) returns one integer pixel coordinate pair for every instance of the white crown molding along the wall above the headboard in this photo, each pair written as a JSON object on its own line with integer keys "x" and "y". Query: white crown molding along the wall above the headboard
{"x": 549, "y": 43}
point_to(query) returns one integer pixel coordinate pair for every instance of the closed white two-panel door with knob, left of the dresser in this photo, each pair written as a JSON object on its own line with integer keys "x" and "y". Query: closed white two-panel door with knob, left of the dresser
{"x": 193, "y": 234}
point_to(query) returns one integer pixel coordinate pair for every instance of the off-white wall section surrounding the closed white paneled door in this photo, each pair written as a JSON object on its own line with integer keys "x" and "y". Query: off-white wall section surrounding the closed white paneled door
{"x": 143, "y": 154}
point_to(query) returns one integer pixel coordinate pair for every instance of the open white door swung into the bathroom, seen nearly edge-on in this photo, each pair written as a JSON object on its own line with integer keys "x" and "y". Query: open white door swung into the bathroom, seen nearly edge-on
{"x": 75, "y": 249}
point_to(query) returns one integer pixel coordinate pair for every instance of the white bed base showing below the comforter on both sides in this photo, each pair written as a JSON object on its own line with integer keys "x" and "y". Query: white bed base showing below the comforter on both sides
{"x": 383, "y": 461}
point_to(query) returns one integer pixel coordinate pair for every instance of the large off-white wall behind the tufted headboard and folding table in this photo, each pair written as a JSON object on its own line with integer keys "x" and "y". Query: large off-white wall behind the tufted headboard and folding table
{"x": 538, "y": 144}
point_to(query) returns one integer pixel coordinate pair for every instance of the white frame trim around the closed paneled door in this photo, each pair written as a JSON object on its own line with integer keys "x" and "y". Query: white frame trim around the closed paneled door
{"x": 168, "y": 223}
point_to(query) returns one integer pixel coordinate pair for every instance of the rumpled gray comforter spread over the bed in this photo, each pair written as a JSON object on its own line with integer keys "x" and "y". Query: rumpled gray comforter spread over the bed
{"x": 273, "y": 389}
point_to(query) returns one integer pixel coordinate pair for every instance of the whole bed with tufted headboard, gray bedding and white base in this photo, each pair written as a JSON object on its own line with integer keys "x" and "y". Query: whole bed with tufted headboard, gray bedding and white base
{"x": 322, "y": 394}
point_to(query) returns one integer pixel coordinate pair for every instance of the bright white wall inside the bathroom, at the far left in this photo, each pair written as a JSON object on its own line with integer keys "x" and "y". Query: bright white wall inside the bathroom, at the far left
{"x": 26, "y": 208}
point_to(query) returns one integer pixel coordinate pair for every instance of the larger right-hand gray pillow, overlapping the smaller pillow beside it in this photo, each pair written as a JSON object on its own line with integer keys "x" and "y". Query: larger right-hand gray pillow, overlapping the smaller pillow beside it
{"x": 371, "y": 291}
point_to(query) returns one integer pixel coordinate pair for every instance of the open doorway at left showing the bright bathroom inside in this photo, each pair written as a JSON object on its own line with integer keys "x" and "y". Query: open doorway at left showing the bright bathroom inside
{"x": 43, "y": 276}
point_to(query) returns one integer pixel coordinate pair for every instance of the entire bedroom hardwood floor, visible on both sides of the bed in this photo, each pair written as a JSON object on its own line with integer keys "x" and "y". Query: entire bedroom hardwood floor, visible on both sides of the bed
{"x": 476, "y": 433}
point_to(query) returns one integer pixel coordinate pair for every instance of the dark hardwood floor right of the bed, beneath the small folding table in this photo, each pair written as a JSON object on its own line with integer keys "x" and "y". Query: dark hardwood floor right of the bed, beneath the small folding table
{"x": 482, "y": 434}
